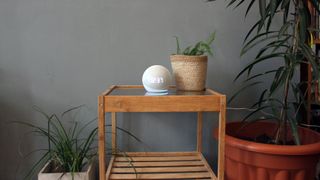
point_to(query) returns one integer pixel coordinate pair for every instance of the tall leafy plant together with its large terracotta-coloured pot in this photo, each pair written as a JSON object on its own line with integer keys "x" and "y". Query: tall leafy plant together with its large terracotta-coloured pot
{"x": 278, "y": 149}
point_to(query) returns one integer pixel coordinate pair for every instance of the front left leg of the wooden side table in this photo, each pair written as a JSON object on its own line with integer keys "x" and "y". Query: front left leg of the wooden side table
{"x": 101, "y": 134}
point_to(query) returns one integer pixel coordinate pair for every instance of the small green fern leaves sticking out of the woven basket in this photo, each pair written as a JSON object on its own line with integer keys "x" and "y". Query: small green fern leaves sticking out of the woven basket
{"x": 200, "y": 48}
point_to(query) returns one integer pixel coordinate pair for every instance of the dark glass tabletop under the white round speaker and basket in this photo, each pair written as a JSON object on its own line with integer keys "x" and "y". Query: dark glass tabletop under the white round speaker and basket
{"x": 143, "y": 92}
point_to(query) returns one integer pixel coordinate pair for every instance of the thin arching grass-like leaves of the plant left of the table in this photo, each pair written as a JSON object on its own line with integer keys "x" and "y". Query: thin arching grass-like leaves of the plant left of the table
{"x": 67, "y": 148}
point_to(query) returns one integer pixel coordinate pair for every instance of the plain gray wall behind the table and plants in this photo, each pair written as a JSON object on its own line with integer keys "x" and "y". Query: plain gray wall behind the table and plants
{"x": 61, "y": 53}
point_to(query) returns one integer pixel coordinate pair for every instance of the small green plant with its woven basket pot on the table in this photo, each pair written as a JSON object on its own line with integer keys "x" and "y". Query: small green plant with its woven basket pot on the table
{"x": 190, "y": 65}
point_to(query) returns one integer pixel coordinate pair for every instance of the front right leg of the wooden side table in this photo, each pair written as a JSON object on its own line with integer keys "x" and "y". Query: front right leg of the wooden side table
{"x": 221, "y": 140}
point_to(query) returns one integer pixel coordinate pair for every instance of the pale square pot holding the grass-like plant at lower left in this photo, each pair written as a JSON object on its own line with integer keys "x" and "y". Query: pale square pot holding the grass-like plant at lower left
{"x": 44, "y": 174}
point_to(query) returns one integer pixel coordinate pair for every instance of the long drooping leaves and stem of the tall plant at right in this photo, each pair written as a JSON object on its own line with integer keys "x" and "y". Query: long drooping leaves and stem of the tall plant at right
{"x": 289, "y": 45}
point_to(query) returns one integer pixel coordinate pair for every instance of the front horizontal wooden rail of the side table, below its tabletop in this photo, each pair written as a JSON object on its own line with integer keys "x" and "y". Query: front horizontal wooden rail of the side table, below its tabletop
{"x": 162, "y": 103}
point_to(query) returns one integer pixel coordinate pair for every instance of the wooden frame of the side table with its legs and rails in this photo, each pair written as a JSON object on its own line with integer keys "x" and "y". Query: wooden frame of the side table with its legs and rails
{"x": 214, "y": 102}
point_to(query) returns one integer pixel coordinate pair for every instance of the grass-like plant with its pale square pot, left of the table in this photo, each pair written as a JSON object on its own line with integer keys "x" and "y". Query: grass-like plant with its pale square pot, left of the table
{"x": 69, "y": 154}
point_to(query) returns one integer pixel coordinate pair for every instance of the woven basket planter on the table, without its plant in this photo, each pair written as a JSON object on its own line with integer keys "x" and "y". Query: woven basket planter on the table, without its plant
{"x": 190, "y": 72}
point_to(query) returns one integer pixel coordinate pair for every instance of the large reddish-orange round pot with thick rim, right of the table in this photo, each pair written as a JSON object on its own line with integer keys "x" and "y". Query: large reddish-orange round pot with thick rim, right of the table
{"x": 247, "y": 160}
